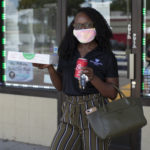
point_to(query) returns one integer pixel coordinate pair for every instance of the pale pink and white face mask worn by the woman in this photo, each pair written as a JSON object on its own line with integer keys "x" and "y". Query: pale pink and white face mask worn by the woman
{"x": 85, "y": 35}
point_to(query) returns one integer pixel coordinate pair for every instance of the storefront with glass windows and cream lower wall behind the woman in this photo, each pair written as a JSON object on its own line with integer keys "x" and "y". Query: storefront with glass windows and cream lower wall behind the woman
{"x": 30, "y": 107}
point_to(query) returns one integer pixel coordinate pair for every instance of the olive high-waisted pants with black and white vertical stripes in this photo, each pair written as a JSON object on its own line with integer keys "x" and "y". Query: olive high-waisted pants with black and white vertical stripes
{"x": 74, "y": 131}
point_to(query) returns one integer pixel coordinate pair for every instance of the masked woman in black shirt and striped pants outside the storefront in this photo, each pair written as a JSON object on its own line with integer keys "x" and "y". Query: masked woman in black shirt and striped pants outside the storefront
{"x": 88, "y": 37}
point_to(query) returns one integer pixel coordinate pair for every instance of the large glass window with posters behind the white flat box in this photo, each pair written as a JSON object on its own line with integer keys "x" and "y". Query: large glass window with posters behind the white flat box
{"x": 30, "y": 28}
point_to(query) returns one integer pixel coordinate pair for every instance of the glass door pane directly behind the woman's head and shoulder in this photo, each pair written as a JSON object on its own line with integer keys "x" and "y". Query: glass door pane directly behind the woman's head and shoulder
{"x": 118, "y": 15}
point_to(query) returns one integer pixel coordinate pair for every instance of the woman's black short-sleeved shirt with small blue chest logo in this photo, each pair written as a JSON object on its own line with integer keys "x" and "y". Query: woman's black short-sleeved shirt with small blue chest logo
{"x": 104, "y": 65}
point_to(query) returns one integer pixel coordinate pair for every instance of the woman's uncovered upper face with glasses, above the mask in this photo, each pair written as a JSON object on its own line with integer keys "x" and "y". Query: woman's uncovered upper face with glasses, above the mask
{"x": 82, "y": 21}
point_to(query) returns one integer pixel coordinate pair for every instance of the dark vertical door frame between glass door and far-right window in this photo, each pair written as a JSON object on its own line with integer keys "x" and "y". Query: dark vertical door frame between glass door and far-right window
{"x": 137, "y": 23}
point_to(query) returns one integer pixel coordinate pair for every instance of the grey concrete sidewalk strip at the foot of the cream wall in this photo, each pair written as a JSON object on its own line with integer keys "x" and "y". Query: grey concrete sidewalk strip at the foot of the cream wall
{"x": 13, "y": 145}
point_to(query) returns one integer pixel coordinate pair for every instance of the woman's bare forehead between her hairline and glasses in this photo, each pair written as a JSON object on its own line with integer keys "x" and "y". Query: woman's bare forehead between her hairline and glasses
{"x": 82, "y": 18}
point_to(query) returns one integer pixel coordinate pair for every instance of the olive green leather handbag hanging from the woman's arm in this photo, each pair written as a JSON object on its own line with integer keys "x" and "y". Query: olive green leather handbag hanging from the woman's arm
{"x": 117, "y": 117}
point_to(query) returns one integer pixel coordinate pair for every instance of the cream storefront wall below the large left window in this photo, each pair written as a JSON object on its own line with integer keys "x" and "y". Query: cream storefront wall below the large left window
{"x": 28, "y": 119}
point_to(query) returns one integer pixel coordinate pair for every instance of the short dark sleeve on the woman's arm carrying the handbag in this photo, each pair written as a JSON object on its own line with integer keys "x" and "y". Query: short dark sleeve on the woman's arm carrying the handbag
{"x": 111, "y": 66}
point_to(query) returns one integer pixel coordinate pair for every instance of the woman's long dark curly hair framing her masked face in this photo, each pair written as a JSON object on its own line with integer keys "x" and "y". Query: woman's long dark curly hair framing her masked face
{"x": 69, "y": 44}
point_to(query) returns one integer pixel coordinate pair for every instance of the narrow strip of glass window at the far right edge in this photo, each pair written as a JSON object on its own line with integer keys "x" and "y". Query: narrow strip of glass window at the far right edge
{"x": 146, "y": 48}
